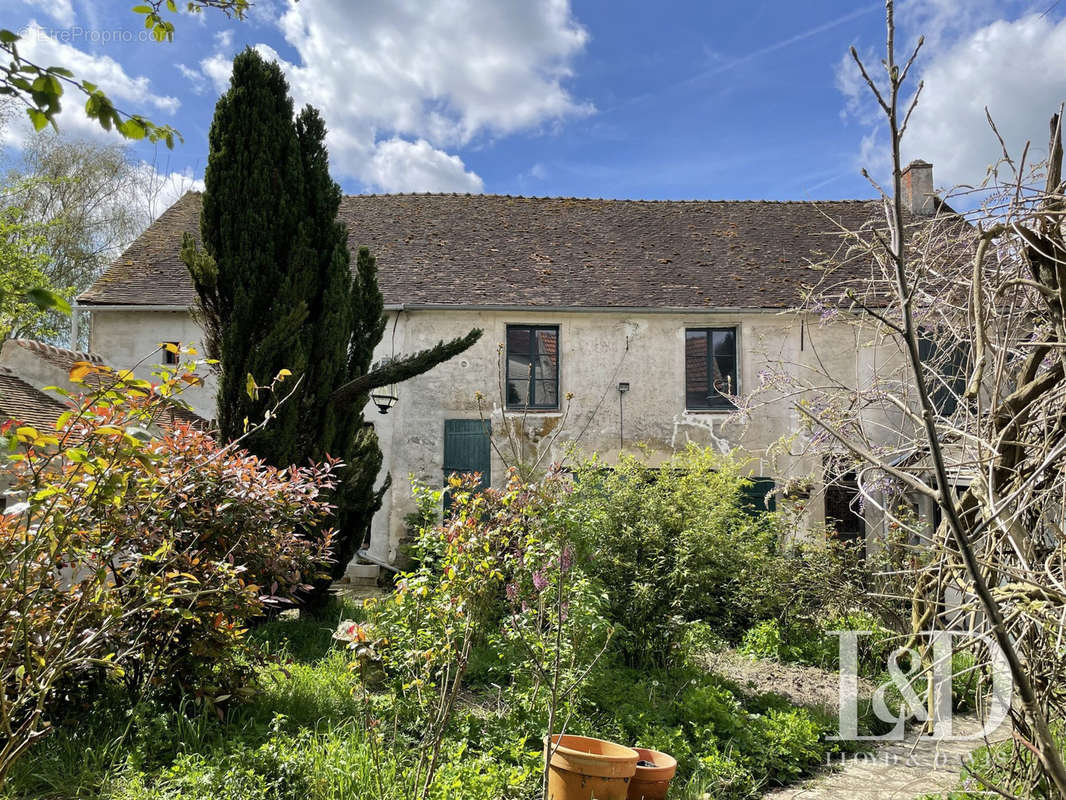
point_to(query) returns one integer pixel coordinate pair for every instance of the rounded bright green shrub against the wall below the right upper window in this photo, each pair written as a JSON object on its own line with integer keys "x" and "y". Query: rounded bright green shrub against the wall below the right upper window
{"x": 673, "y": 546}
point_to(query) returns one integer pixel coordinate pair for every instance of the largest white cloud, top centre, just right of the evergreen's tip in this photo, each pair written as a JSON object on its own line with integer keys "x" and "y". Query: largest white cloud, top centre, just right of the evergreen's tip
{"x": 412, "y": 79}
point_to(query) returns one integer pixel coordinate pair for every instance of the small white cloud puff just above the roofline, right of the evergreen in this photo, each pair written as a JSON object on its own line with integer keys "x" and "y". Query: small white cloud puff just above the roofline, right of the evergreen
{"x": 417, "y": 167}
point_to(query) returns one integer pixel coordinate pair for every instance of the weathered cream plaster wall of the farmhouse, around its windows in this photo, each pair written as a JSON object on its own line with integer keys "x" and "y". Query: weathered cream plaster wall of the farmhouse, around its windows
{"x": 599, "y": 350}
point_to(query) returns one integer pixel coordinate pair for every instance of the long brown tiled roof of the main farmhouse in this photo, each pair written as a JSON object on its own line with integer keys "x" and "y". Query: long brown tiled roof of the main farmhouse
{"x": 554, "y": 252}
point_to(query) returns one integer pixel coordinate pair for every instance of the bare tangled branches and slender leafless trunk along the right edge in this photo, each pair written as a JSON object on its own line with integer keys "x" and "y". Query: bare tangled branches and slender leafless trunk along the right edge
{"x": 965, "y": 410}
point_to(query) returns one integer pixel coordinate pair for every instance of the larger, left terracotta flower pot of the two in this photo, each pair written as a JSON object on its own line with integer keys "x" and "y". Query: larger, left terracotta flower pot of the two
{"x": 584, "y": 769}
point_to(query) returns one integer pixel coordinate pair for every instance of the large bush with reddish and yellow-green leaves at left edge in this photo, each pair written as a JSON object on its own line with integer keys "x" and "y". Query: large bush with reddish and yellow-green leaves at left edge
{"x": 139, "y": 556}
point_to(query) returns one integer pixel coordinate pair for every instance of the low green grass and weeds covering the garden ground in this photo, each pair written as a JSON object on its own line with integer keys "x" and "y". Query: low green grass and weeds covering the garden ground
{"x": 303, "y": 737}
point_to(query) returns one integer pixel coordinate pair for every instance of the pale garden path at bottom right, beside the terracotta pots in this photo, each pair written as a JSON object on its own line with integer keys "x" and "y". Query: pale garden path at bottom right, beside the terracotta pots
{"x": 896, "y": 772}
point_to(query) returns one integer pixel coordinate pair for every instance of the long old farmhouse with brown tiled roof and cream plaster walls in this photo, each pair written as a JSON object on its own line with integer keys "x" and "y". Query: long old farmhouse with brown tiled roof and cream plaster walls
{"x": 616, "y": 325}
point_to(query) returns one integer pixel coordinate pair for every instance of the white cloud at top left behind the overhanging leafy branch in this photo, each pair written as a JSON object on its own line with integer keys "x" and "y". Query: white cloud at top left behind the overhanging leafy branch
{"x": 130, "y": 93}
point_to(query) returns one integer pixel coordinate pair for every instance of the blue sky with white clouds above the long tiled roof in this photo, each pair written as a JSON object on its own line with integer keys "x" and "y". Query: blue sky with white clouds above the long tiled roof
{"x": 708, "y": 100}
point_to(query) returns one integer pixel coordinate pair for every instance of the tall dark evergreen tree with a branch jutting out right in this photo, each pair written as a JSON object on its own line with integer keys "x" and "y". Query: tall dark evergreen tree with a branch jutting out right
{"x": 277, "y": 292}
